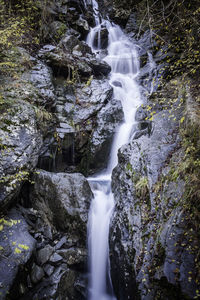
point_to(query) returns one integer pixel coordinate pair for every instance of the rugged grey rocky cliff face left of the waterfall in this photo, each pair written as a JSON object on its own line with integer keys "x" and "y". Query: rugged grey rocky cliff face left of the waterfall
{"x": 54, "y": 113}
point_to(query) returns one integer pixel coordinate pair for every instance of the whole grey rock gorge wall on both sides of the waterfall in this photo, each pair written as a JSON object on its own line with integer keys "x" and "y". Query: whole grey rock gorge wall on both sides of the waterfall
{"x": 58, "y": 119}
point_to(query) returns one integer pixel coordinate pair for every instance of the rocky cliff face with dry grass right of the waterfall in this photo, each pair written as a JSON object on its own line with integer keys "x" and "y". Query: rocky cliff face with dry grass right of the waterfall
{"x": 153, "y": 239}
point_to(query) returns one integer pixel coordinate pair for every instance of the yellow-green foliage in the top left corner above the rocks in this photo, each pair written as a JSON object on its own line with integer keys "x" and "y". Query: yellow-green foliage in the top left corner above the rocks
{"x": 21, "y": 24}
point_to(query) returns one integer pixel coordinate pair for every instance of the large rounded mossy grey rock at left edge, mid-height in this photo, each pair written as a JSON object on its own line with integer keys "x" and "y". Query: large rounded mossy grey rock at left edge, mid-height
{"x": 21, "y": 142}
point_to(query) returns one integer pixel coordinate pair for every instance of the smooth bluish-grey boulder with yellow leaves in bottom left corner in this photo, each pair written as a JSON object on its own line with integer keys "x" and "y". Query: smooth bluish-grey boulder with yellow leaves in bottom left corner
{"x": 16, "y": 247}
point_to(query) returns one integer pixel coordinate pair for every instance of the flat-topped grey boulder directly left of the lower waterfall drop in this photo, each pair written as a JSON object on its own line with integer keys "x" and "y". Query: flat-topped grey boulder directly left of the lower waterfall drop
{"x": 63, "y": 200}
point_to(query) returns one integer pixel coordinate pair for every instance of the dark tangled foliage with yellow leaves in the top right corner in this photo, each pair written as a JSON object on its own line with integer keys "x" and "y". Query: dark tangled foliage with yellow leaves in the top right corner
{"x": 174, "y": 31}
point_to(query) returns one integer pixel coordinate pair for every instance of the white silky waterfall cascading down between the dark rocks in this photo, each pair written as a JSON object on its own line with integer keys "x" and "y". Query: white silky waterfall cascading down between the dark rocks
{"x": 123, "y": 59}
